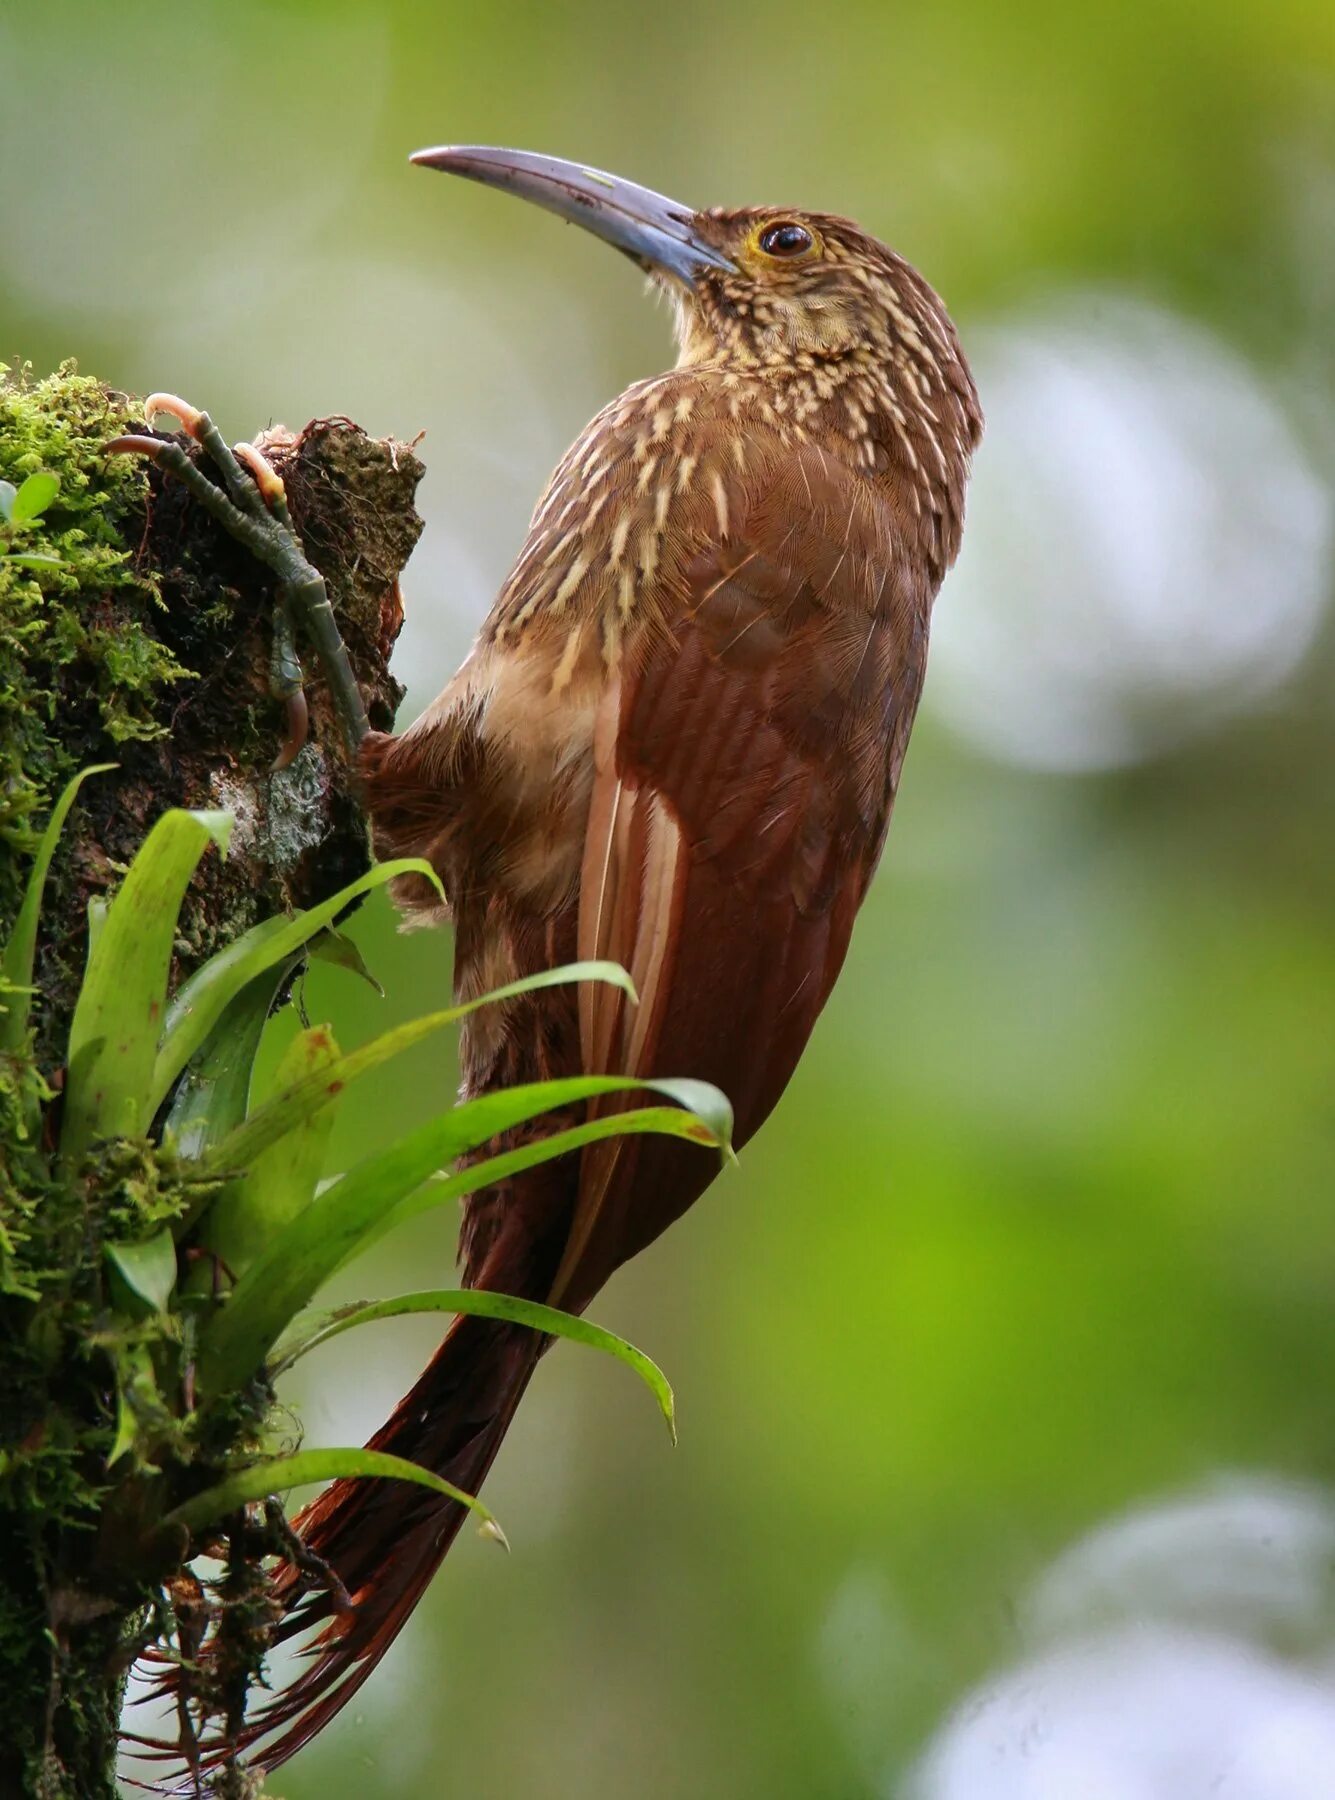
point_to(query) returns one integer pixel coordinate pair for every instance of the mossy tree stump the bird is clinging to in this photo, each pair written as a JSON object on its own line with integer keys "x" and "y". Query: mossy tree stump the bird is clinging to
{"x": 147, "y": 645}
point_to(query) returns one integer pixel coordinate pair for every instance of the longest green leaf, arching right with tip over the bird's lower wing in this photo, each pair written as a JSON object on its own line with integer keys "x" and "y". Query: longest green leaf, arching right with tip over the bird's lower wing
{"x": 388, "y": 1189}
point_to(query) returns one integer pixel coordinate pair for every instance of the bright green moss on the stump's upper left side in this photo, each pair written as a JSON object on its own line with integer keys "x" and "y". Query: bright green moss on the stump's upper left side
{"x": 76, "y": 640}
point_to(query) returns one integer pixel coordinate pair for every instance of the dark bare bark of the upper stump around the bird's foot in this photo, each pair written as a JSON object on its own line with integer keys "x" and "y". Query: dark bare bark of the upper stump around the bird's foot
{"x": 300, "y": 834}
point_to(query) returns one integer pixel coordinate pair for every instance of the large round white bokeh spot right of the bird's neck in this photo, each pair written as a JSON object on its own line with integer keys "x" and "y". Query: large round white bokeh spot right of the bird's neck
{"x": 1147, "y": 552}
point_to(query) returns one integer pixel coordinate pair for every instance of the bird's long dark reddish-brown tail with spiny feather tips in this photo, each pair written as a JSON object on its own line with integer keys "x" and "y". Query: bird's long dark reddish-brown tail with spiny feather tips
{"x": 386, "y": 1540}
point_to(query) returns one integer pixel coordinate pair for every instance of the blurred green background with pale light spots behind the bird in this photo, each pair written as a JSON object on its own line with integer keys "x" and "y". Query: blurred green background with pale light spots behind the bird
{"x": 1007, "y": 1362}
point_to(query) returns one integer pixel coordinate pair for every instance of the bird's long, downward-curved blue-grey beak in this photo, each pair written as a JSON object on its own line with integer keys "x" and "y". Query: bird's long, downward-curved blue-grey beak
{"x": 650, "y": 229}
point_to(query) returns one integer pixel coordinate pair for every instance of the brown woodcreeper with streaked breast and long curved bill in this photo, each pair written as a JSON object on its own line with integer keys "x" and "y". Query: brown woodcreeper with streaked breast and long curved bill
{"x": 676, "y": 744}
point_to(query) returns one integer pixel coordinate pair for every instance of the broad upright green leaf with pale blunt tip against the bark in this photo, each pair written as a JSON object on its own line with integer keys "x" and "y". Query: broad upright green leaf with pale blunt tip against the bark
{"x": 114, "y": 1038}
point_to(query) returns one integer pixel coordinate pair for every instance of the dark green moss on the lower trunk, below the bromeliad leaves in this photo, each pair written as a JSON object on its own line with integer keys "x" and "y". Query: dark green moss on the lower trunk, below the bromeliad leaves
{"x": 100, "y": 1439}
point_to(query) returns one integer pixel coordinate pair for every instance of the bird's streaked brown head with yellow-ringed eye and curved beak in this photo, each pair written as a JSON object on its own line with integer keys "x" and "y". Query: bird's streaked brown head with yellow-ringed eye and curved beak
{"x": 775, "y": 292}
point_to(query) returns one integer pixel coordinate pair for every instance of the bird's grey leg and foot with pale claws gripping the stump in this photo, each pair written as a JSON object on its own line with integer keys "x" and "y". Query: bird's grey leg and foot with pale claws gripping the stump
{"x": 255, "y": 510}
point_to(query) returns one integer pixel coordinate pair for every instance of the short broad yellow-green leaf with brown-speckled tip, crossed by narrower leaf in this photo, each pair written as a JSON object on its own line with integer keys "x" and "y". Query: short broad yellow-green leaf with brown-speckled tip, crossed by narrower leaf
{"x": 283, "y": 1180}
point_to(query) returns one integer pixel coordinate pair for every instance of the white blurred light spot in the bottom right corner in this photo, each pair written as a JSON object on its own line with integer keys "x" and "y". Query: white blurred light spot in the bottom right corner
{"x": 1181, "y": 1651}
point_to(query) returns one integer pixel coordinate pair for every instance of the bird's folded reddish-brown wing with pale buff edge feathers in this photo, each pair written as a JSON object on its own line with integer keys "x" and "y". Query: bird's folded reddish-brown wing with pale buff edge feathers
{"x": 746, "y": 762}
